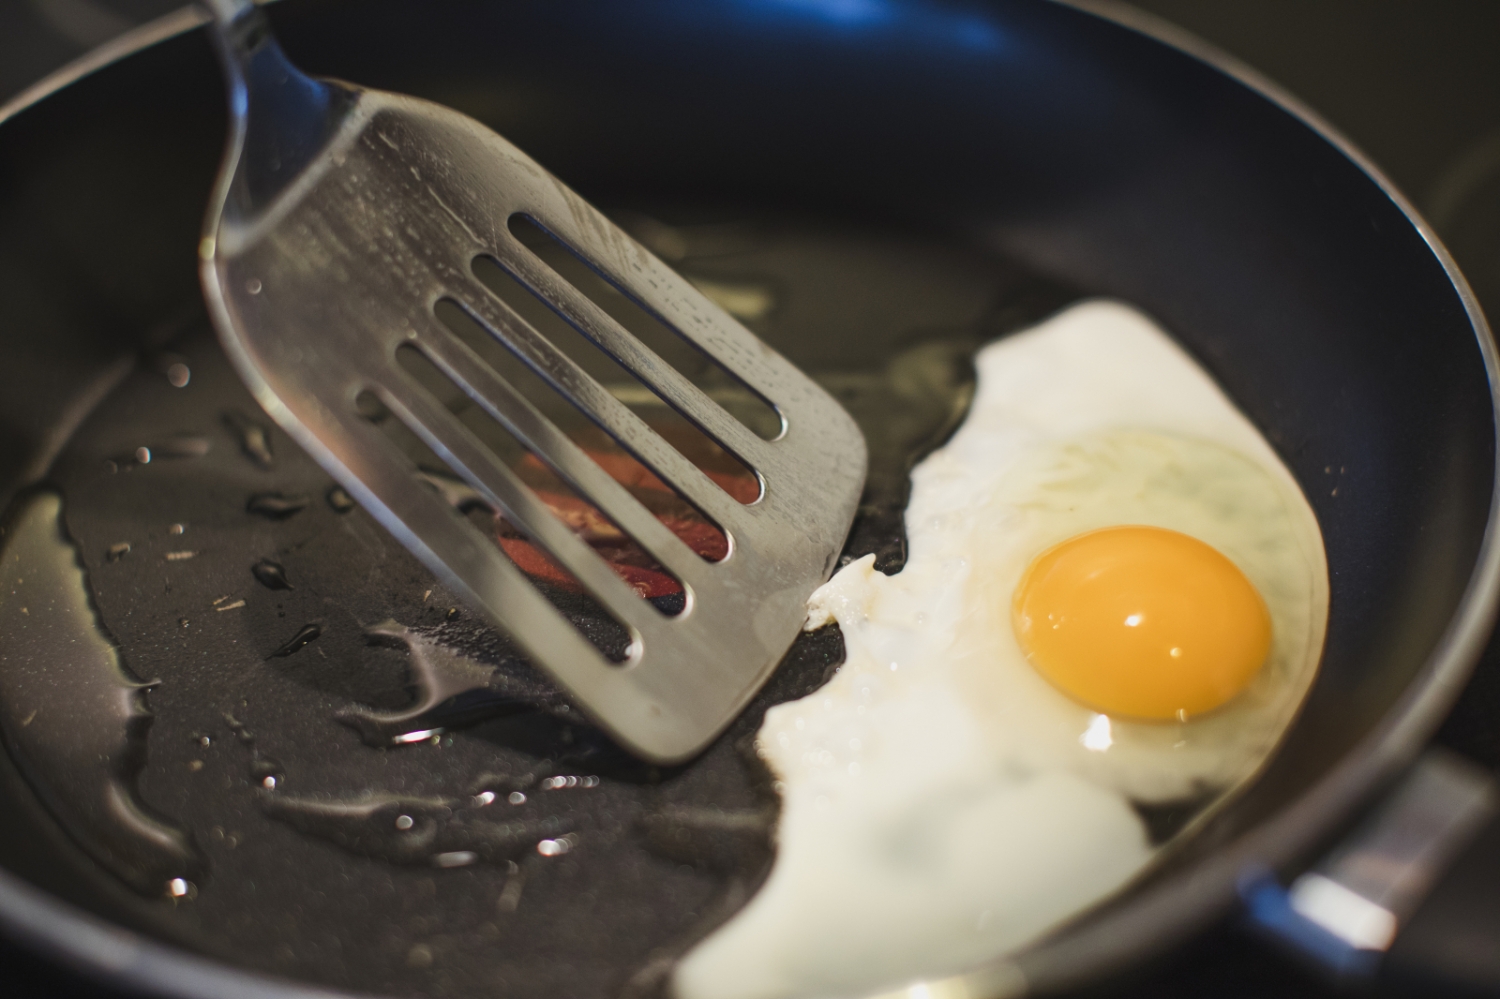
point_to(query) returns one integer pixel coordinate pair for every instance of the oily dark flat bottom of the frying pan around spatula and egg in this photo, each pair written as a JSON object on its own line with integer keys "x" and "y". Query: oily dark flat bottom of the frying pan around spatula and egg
{"x": 256, "y": 709}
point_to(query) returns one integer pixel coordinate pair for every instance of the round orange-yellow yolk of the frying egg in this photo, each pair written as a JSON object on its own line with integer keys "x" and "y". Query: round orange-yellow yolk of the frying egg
{"x": 1142, "y": 622}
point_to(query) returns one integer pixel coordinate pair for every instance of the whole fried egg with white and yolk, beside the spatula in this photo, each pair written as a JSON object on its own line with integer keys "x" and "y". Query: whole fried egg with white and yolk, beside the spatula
{"x": 1115, "y": 596}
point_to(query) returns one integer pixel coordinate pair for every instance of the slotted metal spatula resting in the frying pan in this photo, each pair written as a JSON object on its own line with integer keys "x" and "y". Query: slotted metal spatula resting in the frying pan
{"x": 341, "y": 218}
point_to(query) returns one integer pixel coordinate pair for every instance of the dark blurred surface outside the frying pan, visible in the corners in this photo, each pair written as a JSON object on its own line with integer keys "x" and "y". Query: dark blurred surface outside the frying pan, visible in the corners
{"x": 1417, "y": 86}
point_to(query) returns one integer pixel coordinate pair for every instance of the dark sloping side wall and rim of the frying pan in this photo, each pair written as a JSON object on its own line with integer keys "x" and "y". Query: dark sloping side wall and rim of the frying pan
{"x": 1072, "y": 139}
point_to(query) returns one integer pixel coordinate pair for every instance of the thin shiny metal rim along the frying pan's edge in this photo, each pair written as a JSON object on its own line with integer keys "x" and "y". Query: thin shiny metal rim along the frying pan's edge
{"x": 1159, "y": 917}
